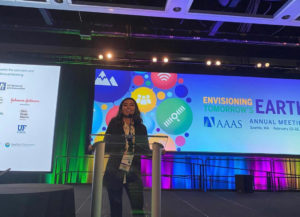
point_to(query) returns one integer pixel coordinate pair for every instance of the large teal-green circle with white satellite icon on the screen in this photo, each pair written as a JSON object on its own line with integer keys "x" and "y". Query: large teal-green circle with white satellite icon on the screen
{"x": 174, "y": 116}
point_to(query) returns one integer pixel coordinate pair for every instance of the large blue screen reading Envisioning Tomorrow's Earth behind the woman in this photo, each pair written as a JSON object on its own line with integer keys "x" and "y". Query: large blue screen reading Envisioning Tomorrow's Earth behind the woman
{"x": 206, "y": 113}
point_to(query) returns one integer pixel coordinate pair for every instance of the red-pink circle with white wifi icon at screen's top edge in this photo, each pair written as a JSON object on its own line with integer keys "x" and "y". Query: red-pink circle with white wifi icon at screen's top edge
{"x": 163, "y": 80}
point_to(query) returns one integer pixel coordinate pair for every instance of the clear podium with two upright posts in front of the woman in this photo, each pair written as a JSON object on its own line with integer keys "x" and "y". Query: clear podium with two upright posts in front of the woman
{"x": 113, "y": 145}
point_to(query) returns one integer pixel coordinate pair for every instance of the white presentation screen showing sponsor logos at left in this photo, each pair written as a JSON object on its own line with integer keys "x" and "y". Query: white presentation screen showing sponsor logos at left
{"x": 28, "y": 97}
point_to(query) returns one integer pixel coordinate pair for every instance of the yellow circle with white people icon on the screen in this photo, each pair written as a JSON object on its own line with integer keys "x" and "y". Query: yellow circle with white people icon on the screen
{"x": 145, "y": 98}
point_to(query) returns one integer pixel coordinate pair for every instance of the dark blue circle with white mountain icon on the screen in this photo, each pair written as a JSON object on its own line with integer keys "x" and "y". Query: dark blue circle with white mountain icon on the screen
{"x": 111, "y": 85}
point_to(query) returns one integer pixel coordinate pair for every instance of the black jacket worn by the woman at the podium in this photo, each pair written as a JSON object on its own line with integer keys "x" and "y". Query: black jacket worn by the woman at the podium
{"x": 115, "y": 146}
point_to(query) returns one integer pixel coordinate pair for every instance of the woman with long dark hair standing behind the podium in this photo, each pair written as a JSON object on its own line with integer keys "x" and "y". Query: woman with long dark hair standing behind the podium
{"x": 126, "y": 137}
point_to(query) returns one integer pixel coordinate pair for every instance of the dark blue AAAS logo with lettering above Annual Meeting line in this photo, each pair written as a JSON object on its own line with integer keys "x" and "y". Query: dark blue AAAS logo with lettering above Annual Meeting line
{"x": 212, "y": 122}
